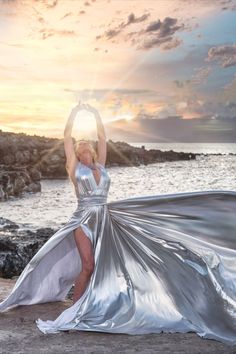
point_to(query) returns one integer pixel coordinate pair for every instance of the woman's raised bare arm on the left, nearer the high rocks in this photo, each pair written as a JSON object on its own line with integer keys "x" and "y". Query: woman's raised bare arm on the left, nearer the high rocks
{"x": 71, "y": 158}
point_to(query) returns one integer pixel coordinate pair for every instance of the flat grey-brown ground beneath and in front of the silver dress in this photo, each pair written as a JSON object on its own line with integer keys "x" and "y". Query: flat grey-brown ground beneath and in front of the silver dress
{"x": 19, "y": 334}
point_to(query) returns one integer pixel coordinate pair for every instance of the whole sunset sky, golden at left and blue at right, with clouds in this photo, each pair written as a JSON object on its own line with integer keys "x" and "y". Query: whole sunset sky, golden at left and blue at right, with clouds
{"x": 156, "y": 70}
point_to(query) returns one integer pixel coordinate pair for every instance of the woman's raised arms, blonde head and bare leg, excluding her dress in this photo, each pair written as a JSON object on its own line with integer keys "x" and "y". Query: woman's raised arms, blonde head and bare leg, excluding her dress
{"x": 85, "y": 153}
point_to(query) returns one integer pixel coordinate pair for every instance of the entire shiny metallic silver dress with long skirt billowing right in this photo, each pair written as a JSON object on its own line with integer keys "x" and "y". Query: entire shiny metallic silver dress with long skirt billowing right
{"x": 162, "y": 263}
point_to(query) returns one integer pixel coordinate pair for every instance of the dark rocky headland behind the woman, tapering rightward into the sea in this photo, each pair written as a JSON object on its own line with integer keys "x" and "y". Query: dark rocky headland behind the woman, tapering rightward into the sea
{"x": 26, "y": 159}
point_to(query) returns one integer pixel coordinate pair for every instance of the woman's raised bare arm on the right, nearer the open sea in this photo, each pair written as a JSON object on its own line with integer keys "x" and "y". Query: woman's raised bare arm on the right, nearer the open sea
{"x": 102, "y": 144}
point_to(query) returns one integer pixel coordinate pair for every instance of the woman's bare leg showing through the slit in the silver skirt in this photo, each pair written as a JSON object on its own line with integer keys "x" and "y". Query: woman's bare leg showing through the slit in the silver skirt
{"x": 85, "y": 249}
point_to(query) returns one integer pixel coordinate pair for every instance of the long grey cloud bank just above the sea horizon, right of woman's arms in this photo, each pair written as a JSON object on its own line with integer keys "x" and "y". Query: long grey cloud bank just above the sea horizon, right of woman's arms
{"x": 174, "y": 129}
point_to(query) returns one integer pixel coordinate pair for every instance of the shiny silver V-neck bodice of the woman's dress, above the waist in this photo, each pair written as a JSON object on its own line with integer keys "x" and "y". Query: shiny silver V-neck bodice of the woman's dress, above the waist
{"x": 86, "y": 185}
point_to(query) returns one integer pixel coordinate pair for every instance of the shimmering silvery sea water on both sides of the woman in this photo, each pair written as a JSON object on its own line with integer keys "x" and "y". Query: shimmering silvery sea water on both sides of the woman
{"x": 53, "y": 206}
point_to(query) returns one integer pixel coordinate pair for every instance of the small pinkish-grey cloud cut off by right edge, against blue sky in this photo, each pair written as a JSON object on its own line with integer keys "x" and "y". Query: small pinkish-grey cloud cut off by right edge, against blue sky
{"x": 224, "y": 54}
